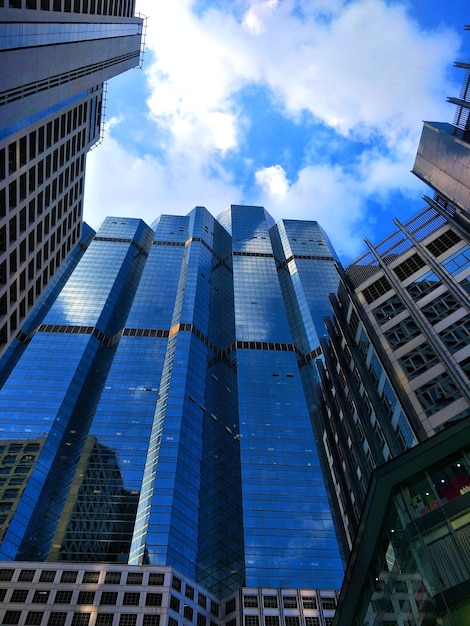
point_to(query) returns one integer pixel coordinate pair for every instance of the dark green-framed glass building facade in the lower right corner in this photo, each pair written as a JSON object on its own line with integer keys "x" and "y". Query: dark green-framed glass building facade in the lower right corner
{"x": 411, "y": 561}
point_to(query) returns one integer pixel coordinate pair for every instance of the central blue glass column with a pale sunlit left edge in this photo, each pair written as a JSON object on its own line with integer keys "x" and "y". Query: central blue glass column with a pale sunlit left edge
{"x": 167, "y": 520}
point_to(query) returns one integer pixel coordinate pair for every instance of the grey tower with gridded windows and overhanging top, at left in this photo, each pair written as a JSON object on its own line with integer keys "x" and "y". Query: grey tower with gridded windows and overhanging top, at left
{"x": 54, "y": 57}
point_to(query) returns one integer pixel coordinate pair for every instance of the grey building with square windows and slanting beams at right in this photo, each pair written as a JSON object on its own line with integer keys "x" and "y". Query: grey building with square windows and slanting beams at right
{"x": 398, "y": 358}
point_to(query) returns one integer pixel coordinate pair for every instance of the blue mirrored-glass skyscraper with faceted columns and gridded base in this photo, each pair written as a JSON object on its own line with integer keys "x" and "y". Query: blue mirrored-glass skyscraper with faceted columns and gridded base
{"x": 170, "y": 436}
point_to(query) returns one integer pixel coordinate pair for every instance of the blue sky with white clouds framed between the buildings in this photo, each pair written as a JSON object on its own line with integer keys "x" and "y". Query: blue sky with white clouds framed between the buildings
{"x": 310, "y": 108}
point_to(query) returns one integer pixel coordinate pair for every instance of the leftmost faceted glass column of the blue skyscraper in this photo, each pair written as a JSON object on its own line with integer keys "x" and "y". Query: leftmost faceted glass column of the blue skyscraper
{"x": 59, "y": 399}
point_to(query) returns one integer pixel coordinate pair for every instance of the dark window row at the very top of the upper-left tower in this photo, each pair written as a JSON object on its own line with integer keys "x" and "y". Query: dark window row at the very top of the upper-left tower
{"x": 122, "y": 8}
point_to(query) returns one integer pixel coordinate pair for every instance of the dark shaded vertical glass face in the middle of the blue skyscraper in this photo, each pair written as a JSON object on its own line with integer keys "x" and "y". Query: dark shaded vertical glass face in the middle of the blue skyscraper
{"x": 221, "y": 547}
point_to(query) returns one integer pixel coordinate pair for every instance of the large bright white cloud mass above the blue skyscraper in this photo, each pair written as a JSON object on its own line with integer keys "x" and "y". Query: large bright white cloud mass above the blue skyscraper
{"x": 362, "y": 67}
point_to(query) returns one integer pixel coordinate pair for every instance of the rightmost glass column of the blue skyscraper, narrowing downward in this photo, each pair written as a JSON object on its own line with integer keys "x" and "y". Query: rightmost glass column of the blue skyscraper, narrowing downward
{"x": 307, "y": 277}
